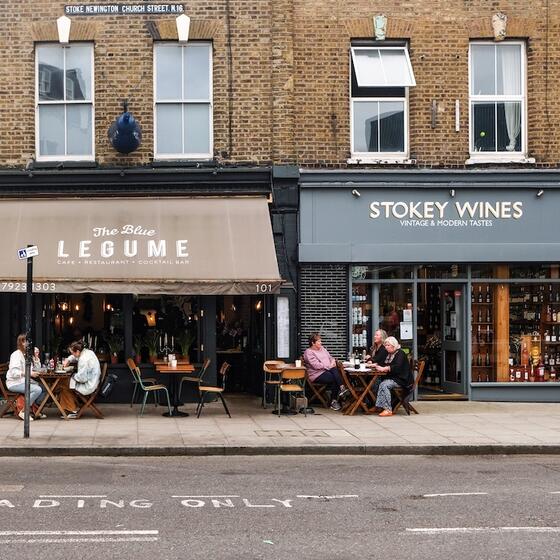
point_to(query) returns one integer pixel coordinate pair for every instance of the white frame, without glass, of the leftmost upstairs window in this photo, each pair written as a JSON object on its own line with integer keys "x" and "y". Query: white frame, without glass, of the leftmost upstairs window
{"x": 65, "y": 103}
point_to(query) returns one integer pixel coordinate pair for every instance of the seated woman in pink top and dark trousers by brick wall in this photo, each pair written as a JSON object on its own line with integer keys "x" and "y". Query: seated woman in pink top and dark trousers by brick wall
{"x": 321, "y": 369}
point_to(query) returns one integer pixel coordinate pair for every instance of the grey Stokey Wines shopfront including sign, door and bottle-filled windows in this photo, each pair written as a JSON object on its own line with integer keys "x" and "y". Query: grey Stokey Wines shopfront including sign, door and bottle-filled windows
{"x": 463, "y": 268}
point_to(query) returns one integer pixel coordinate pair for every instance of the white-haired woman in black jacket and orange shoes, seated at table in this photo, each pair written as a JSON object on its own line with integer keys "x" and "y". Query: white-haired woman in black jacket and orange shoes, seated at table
{"x": 397, "y": 374}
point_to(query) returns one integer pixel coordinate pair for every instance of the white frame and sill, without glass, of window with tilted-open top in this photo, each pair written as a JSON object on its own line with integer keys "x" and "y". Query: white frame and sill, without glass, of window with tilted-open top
{"x": 379, "y": 157}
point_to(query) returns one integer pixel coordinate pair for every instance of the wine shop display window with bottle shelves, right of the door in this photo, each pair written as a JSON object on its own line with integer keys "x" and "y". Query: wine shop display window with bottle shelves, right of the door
{"x": 515, "y": 332}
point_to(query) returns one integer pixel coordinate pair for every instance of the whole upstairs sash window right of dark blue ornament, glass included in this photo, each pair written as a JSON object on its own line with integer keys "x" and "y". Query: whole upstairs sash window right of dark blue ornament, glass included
{"x": 183, "y": 100}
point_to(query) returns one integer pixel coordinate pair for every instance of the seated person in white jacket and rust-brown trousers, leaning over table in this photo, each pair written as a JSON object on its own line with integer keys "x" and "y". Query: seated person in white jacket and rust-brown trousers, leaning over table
{"x": 86, "y": 378}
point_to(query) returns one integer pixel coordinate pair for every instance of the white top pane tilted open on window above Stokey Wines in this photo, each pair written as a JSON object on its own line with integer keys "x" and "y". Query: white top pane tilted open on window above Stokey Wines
{"x": 382, "y": 67}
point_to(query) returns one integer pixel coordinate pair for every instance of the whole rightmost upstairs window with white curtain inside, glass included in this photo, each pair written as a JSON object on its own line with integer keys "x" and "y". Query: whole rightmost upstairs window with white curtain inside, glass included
{"x": 497, "y": 99}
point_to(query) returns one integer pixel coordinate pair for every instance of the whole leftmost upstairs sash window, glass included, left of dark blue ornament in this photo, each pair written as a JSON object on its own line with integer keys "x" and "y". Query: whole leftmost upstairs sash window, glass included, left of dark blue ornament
{"x": 64, "y": 102}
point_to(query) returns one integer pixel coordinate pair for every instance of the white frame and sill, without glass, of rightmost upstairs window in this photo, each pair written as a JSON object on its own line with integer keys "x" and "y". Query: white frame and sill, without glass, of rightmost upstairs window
{"x": 503, "y": 156}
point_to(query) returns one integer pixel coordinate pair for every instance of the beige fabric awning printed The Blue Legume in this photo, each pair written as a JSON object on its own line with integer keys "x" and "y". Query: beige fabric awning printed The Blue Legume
{"x": 143, "y": 246}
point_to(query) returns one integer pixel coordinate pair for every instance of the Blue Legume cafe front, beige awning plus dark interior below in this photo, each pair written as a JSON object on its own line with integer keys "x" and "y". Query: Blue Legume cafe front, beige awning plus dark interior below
{"x": 142, "y": 277}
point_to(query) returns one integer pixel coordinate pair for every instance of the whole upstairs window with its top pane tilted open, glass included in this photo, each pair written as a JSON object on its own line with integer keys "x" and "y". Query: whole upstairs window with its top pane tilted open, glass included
{"x": 380, "y": 78}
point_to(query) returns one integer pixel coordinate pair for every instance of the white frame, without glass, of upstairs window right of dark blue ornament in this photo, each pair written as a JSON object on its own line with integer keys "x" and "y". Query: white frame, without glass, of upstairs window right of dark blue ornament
{"x": 210, "y": 102}
